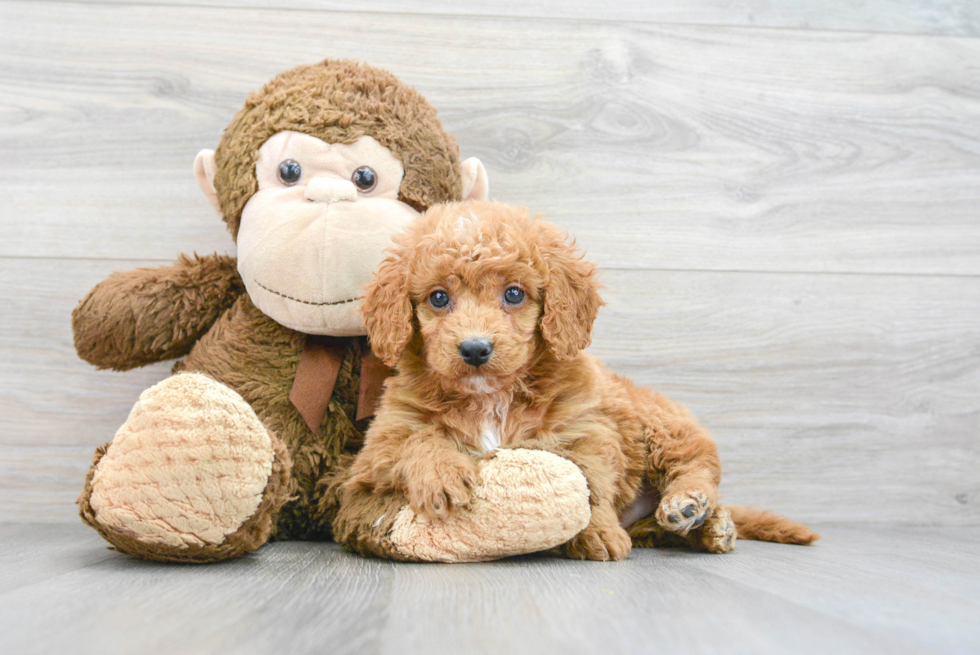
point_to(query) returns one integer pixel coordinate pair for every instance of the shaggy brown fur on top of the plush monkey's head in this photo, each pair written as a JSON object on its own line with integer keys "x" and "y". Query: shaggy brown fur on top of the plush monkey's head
{"x": 339, "y": 102}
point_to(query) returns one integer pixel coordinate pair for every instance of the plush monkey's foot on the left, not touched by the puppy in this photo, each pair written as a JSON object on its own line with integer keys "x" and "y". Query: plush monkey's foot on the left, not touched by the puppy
{"x": 192, "y": 475}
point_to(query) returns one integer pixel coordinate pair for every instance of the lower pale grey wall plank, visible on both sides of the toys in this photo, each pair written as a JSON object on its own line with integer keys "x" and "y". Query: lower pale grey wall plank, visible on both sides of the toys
{"x": 833, "y": 398}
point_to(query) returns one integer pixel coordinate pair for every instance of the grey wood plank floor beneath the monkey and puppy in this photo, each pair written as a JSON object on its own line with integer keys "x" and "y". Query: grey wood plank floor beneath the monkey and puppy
{"x": 856, "y": 591}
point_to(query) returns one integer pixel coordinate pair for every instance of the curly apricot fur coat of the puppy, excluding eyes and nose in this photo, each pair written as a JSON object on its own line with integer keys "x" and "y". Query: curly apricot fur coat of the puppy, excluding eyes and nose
{"x": 537, "y": 390}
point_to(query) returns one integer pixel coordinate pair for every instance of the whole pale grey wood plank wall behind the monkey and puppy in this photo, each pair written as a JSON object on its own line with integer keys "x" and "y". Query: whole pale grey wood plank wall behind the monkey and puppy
{"x": 785, "y": 199}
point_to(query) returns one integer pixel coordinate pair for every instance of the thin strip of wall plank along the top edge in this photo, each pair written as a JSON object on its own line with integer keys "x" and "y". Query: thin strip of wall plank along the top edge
{"x": 948, "y": 17}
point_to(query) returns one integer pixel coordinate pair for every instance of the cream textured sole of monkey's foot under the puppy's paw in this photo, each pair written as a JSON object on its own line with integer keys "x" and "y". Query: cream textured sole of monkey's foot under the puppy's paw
{"x": 525, "y": 501}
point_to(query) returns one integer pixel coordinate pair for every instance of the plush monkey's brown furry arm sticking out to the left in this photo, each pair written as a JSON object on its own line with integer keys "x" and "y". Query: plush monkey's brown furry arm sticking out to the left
{"x": 148, "y": 315}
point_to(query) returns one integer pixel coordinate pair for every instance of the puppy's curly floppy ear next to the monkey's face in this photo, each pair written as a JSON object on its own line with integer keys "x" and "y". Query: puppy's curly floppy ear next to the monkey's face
{"x": 387, "y": 309}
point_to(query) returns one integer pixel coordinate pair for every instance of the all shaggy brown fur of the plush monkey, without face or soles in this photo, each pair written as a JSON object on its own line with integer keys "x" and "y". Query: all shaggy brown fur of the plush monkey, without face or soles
{"x": 198, "y": 307}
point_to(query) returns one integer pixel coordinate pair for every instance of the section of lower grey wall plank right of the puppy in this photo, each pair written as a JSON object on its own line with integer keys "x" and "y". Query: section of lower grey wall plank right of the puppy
{"x": 856, "y": 396}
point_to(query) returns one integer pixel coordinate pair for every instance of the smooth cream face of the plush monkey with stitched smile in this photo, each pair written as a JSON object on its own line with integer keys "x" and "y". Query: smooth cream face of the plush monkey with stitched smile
{"x": 317, "y": 228}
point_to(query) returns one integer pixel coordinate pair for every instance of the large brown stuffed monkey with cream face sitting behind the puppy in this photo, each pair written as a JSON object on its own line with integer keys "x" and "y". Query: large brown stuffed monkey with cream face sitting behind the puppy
{"x": 252, "y": 436}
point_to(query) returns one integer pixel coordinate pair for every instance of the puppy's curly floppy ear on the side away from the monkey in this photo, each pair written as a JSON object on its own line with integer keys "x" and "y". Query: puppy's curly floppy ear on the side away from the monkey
{"x": 571, "y": 294}
